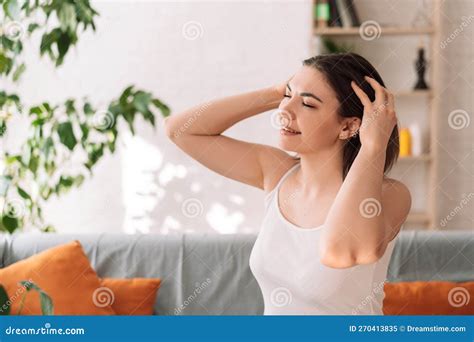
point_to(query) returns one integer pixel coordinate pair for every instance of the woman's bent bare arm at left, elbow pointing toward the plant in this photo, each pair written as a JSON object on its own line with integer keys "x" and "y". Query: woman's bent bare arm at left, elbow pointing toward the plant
{"x": 198, "y": 132}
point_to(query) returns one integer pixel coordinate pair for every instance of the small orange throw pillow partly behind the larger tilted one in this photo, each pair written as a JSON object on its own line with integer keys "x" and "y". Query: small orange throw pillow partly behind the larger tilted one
{"x": 132, "y": 296}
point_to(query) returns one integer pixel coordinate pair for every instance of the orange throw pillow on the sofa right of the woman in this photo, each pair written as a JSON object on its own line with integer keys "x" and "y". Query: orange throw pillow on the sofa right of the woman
{"x": 429, "y": 298}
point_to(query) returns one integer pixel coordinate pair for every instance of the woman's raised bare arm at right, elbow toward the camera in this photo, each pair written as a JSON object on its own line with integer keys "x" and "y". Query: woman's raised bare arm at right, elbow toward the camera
{"x": 367, "y": 213}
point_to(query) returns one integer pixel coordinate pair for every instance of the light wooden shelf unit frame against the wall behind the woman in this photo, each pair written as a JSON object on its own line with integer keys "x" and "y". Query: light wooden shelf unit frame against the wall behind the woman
{"x": 427, "y": 218}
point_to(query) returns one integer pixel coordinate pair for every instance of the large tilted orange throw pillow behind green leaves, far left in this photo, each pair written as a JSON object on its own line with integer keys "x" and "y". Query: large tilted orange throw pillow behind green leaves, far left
{"x": 64, "y": 273}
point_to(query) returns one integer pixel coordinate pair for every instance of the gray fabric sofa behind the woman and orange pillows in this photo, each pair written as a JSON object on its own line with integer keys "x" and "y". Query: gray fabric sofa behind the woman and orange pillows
{"x": 209, "y": 274}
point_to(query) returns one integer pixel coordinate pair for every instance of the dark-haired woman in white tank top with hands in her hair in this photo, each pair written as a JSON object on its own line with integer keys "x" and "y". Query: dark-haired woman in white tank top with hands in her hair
{"x": 331, "y": 215}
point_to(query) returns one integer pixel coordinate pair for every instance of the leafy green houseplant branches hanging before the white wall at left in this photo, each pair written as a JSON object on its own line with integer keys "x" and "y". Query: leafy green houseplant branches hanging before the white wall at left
{"x": 57, "y": 132}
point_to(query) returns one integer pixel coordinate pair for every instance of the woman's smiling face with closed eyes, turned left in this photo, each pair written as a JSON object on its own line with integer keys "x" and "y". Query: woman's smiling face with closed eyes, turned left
{"x": 309, "y": 108}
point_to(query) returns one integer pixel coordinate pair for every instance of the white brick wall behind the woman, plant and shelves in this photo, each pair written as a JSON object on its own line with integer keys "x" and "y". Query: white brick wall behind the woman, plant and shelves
{"x": 243, "y": 46}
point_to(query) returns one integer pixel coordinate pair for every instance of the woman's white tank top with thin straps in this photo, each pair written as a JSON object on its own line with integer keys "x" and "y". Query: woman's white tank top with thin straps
{"x": 285, "y": 263}
